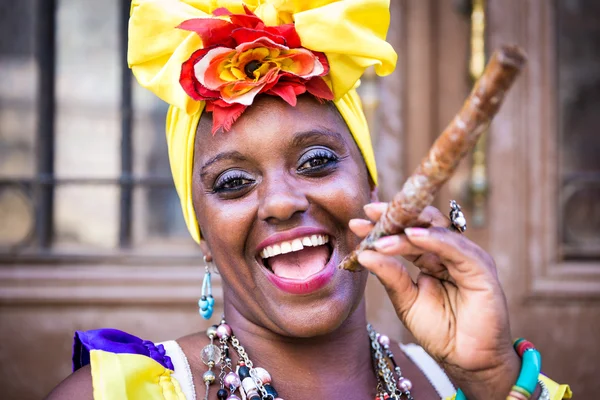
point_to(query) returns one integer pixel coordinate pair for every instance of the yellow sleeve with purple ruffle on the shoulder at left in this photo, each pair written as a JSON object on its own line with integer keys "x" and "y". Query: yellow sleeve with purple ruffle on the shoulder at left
{"x": 124, "y": 366}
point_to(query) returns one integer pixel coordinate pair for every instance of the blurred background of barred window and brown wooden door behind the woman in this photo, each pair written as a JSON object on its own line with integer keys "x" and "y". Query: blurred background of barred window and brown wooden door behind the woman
{"x": 91, "y": 233}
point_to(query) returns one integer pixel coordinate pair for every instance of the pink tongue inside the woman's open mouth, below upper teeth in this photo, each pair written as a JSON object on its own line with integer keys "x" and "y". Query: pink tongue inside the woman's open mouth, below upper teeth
{"x": 300, "y": 264}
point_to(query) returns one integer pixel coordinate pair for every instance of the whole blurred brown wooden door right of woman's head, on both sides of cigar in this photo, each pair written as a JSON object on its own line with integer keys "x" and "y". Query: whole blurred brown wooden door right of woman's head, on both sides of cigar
{"x": 541, "y": 216}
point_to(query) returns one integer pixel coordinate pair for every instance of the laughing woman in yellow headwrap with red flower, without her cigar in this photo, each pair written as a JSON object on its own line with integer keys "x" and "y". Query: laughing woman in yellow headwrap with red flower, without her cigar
{"x": 273, "y": 163}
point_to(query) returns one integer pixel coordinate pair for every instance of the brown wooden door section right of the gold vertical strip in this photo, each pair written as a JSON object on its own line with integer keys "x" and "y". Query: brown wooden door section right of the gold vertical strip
{"x": 544, "y": 176}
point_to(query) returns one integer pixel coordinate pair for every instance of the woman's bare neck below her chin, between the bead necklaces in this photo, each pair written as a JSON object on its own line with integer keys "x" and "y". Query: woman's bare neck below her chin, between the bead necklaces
{"x": 344, "y": 352}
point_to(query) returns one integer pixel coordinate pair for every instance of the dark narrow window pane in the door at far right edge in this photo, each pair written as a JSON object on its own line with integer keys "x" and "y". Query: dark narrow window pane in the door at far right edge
{"x": 578, "y": 62}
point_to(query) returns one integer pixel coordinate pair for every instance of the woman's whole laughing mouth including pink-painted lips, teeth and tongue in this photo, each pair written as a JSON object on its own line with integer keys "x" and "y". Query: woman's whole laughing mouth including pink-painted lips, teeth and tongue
{"x": 298, "y": 261}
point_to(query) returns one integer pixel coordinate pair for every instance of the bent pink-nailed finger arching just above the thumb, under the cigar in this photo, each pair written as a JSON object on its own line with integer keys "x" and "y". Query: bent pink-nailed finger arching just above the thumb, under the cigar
{"x": 463, "y": 259}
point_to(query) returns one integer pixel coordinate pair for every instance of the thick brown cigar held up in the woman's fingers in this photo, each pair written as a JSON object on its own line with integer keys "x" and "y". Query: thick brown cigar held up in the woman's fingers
{"x": 451, "y": 146}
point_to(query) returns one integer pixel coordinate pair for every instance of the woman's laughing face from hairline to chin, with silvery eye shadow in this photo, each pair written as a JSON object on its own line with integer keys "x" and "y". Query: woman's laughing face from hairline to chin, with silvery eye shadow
{"x": 273, "y": 197}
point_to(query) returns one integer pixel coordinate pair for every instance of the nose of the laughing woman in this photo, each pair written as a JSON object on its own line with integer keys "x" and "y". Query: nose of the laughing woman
{"x": 281, "y": 199}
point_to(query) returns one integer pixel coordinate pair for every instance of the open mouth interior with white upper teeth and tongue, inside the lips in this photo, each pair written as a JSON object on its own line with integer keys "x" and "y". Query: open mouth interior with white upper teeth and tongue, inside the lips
{"x": 297, "y": 259}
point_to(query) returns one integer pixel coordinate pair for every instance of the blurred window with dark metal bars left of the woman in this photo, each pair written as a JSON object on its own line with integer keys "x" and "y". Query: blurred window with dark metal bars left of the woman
{"x": 84, "y": 172}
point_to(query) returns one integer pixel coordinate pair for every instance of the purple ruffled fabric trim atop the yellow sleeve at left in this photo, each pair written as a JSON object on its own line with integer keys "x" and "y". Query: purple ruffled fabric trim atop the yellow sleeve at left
{"x": 115, "y": 341}
